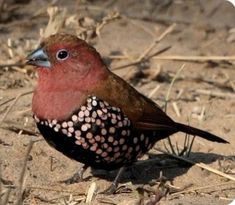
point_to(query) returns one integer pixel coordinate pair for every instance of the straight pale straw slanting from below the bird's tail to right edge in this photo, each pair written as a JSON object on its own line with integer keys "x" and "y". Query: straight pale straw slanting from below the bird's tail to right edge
{"x": 201, "y": 165}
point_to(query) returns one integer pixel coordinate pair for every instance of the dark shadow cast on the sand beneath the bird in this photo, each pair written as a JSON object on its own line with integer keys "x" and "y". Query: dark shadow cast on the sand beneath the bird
{"x": 147, "y": 171}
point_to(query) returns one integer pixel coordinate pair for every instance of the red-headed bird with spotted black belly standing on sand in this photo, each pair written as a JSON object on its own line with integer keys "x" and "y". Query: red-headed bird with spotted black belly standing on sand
{"x": 92, "y": 115}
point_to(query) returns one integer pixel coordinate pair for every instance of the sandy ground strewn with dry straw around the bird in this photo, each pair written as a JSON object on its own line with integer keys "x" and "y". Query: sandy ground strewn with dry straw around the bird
{"x": 125, "y": 32}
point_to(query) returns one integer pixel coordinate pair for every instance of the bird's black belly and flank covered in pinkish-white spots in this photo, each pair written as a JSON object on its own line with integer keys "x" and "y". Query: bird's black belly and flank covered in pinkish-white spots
{"x": 97, "y": 135}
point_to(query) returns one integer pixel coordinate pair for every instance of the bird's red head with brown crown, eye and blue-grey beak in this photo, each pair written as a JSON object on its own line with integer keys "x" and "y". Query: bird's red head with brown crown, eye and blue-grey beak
{"x": 64, "y": 61}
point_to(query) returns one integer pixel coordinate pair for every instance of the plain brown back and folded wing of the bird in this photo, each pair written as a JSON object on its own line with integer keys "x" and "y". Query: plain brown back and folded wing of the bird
{"x": 144, "y": 113}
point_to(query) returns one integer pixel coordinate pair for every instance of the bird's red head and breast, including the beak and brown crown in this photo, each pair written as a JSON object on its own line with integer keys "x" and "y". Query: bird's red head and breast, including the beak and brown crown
{"x": 69, "y": 70}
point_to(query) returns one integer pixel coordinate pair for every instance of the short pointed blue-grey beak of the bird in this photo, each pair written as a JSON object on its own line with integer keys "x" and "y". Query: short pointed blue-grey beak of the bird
{"x": 38, "y": 58}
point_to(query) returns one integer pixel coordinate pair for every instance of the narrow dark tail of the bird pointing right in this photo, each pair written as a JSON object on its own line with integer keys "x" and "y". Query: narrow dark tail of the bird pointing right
{"x": 194, "y": 131}
